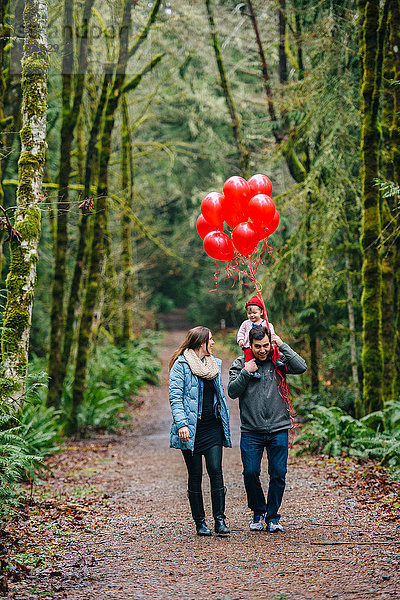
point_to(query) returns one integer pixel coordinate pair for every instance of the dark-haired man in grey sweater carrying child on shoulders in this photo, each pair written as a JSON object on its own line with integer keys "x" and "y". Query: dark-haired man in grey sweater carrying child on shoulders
{"x": 265, "y": 422}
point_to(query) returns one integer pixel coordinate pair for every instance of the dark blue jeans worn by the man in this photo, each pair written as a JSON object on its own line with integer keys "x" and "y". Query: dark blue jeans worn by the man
{"x": 252, "y": 446}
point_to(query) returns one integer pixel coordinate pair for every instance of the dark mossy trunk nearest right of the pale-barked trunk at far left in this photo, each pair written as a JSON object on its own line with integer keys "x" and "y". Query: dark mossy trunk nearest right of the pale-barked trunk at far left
{"x": 71, "y": 101}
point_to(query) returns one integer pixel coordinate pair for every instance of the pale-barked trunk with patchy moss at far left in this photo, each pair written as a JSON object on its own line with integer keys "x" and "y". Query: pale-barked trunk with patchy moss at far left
{"x": 22, "y": 275}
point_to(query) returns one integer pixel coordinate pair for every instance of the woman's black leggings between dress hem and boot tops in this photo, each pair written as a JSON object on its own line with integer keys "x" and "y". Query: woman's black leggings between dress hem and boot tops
{"x": 194, "y": 464}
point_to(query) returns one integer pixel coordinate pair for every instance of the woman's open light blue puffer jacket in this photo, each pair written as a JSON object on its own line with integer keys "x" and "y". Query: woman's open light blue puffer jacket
{"x": 185, "y": 390}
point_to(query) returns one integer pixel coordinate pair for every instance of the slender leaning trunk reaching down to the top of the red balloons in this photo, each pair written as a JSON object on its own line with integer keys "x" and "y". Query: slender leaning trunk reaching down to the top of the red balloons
{"x": 244, "y": 155}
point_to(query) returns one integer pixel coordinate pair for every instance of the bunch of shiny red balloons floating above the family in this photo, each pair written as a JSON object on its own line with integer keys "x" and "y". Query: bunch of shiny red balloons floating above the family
{"x": 247, "y": 208}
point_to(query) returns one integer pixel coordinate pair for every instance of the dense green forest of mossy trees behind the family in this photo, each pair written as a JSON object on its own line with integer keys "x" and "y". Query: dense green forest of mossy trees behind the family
{"x": 151, "y": 105}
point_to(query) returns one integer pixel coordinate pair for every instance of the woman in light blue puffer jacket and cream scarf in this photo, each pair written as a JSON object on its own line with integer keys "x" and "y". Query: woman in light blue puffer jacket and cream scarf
{"x": 200, "y": 422}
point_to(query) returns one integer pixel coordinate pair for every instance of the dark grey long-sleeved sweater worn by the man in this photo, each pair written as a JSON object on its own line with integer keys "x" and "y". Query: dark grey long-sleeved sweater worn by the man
{"x": 261, "y": 405}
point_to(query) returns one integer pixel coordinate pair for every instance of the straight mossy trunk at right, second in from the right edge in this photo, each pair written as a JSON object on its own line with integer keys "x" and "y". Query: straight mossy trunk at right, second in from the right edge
{"x": 372, "y": 353}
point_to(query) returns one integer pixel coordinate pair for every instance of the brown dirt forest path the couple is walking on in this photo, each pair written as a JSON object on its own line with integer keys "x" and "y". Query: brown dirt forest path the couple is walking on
{"x": 140, "y": 542}
